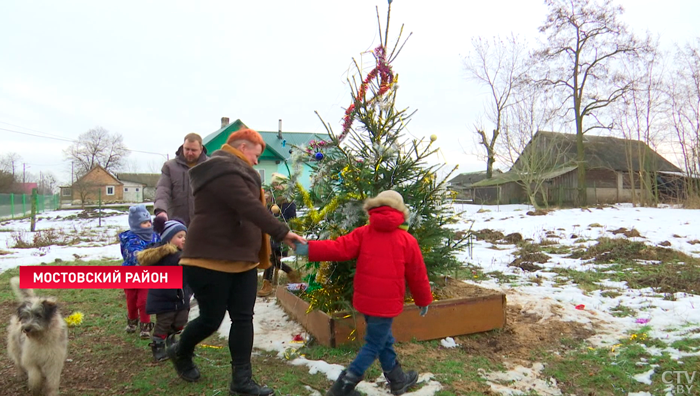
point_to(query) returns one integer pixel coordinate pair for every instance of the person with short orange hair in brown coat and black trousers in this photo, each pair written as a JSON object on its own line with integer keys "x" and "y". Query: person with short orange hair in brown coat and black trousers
{"x": 227, "y": 242}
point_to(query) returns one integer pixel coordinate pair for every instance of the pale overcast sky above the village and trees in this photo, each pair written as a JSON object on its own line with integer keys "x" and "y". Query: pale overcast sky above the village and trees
{"x": 154, "y": 71}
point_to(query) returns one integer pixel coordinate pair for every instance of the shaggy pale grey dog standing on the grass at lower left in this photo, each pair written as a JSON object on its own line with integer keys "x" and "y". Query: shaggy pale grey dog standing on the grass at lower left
{"x": 37, "y": 341}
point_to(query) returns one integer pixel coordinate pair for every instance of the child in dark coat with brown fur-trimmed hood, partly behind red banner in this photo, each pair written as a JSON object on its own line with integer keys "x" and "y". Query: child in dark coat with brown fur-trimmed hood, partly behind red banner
{"x": 171, "y": 306}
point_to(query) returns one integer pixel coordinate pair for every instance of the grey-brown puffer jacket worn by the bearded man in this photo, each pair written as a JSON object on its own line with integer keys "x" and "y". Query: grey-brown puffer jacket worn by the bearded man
{"x": 173, "y": 193}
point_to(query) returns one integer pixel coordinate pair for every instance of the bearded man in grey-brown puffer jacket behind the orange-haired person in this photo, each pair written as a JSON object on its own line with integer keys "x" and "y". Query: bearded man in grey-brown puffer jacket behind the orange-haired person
{"x": 173, "y": 194}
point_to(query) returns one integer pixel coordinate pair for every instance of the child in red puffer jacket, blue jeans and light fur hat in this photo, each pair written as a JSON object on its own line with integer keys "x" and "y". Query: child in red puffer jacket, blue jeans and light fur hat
{"x": 387, "y": 256}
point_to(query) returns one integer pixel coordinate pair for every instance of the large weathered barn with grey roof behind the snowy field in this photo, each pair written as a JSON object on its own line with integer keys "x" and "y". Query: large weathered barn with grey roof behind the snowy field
{"x": 614, "y": 171}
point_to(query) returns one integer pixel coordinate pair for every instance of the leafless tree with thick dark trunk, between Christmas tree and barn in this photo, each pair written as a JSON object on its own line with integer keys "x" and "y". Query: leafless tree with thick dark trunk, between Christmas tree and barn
{"x": 499, "y": 65}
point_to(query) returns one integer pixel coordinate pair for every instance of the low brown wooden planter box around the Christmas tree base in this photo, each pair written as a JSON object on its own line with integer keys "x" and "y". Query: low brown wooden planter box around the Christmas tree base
{"x": 445, "y": 318}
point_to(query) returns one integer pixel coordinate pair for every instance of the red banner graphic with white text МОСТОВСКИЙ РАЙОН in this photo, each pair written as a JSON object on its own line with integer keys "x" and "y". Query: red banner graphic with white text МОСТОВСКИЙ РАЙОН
{"x": 100, "y": 277}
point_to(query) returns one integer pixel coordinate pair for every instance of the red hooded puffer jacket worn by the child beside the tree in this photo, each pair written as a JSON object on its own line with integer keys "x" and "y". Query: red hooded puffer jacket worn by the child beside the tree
{"x": 387, "y": 257}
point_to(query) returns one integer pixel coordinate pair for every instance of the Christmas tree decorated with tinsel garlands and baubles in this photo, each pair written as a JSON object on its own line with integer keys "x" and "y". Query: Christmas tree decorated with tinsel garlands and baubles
{"x": 372, "y": 153}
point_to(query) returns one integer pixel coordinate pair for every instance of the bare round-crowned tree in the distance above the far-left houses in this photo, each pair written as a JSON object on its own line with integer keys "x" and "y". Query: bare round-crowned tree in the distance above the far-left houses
{"x": 97, "y": 147}
